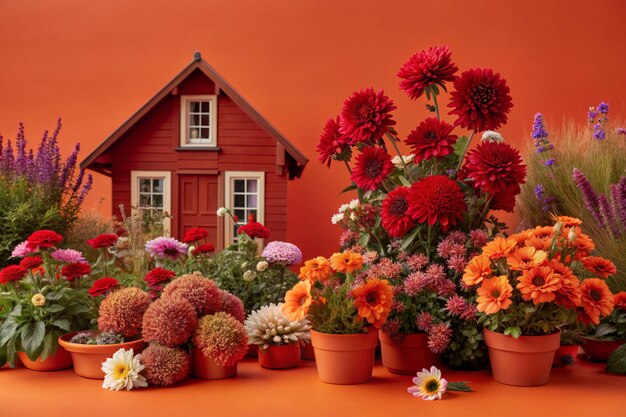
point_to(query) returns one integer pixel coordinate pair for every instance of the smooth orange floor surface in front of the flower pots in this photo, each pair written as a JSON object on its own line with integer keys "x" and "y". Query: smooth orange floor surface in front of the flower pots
{"x": 581, "y": 390}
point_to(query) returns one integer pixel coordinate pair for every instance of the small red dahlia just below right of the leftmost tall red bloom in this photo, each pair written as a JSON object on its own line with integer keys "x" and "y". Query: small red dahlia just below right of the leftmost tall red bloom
{"x": 371, "y": 168}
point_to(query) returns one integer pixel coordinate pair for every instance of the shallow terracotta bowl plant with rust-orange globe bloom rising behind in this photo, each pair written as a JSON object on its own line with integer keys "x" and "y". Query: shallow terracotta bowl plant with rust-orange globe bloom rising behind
{"x": 119, "y": 327}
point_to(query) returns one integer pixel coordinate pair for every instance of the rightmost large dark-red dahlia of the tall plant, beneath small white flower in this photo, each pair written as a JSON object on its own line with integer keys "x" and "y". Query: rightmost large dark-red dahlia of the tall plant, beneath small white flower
{"x": 495, "y": 168}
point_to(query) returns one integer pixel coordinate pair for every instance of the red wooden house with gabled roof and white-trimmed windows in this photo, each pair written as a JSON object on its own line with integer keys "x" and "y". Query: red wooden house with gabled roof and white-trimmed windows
{"x": 197, "y": 145}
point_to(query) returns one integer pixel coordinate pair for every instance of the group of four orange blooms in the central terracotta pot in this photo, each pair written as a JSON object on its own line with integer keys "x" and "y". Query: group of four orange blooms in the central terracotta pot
{"x": 373, "y": 298}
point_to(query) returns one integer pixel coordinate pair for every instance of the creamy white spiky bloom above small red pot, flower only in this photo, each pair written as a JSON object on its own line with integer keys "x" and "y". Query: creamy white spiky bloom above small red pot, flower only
{"x": 269, "y": 326}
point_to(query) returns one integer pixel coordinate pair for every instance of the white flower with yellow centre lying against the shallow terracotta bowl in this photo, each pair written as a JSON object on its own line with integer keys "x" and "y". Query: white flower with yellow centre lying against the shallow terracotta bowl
{"x": 122, "y": 371}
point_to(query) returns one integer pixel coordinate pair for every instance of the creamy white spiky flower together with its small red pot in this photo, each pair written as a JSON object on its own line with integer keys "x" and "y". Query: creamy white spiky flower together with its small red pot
{"x": 278, "y": 338}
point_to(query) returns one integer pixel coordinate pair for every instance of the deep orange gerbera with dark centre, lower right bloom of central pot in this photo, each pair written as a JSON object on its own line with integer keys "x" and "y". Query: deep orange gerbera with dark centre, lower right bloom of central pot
{"x": 373, "y": 300}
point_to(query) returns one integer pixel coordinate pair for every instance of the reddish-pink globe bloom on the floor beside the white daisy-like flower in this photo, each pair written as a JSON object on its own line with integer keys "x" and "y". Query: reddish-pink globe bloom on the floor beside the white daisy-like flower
{"x": 164, "y": 366}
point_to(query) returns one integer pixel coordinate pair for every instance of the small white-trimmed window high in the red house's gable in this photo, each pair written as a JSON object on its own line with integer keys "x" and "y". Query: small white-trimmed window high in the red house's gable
{"x": 198, "y": 121}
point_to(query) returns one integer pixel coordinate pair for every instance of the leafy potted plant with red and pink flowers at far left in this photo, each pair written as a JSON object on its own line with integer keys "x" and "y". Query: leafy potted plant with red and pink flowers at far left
{"x": 44, "y": 297}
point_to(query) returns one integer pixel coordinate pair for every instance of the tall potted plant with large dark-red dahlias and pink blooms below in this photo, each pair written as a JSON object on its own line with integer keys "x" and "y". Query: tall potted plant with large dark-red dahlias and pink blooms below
{"x": 424, "y": 215}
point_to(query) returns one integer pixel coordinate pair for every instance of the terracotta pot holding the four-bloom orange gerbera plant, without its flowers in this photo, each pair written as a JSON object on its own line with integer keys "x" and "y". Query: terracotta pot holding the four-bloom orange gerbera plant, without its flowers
{"x": 345, "y": 358}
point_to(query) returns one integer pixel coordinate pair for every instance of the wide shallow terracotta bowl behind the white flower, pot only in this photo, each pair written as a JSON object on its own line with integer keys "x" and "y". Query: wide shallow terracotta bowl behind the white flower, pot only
{"x": 88, "y": 359}
